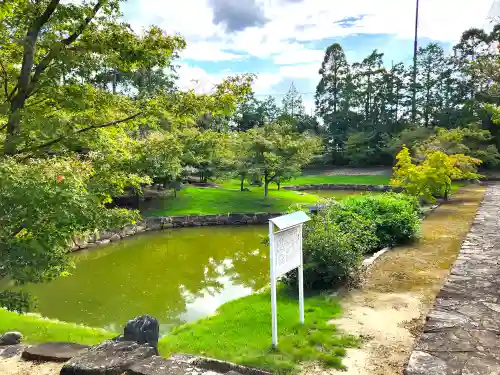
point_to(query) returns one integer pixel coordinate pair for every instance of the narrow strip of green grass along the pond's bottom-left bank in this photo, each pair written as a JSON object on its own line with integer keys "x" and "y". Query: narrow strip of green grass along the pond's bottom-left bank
{"x": 36, "y": 329}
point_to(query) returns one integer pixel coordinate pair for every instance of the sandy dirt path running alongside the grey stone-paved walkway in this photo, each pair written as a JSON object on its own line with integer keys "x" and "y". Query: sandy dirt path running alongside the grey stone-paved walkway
{"x": 389, "y": 311}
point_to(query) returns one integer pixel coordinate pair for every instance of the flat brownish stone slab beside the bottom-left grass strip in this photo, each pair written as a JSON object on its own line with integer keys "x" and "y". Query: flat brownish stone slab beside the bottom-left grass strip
{"x": 54, "y": 351}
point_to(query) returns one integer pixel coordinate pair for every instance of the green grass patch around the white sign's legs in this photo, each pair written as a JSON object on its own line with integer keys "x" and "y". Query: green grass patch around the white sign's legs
{"x": 240, "y": 332}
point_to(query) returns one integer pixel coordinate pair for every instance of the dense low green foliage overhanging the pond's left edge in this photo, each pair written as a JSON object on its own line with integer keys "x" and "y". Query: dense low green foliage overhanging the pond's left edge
{"x": 43, "y": 205}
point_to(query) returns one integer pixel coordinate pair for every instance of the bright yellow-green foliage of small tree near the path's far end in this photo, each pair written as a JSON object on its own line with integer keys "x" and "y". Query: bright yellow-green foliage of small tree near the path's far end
{"x": 434, "y": 175}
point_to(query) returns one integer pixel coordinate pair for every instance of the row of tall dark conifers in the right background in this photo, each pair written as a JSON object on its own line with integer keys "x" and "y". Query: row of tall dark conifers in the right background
{"x": 367, "y": 108}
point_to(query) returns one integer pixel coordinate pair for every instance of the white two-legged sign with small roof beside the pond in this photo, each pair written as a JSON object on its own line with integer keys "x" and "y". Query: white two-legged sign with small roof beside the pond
{"x": 285, "y": 254}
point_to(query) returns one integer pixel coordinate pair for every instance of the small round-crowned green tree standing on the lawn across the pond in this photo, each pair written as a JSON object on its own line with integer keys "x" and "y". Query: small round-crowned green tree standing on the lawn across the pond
{"x": 276, "y": 152}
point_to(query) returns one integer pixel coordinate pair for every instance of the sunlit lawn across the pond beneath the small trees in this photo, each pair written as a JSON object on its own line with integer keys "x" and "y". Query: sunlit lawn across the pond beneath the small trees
{"x": 228, "y": 197}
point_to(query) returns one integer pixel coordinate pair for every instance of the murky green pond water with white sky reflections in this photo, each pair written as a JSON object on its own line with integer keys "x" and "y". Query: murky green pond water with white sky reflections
{"x": 176, "y": 276}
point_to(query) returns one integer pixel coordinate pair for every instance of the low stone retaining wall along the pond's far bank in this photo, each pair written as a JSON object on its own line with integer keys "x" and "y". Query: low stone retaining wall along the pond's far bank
{"x": 155, "y": 223}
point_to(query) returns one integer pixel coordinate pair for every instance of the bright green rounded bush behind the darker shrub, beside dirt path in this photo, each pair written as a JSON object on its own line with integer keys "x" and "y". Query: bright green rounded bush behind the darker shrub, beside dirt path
{"x": 395, "y": 216}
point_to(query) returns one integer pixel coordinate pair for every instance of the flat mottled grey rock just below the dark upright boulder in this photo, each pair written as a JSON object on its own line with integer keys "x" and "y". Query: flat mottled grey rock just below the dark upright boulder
{"x": 108, "y": 358}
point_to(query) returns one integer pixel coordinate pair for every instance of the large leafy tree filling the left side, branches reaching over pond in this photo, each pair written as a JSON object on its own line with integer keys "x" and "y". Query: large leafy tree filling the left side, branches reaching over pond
{"x": 88, "y": 110}
